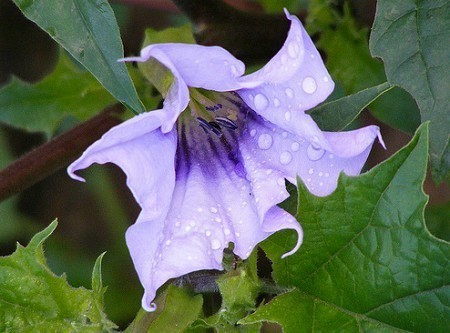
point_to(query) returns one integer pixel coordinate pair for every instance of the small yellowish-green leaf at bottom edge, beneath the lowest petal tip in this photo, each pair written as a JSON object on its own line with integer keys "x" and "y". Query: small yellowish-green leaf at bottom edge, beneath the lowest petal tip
{"x": 176, "y": 309}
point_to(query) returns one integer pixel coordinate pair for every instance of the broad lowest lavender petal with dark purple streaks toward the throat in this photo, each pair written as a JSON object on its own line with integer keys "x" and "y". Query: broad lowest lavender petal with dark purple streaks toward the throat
{"x": 213, "y": 204}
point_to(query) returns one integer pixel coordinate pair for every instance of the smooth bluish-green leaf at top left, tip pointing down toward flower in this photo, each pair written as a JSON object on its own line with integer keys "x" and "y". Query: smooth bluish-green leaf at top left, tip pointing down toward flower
{"x": 88, "y": 31}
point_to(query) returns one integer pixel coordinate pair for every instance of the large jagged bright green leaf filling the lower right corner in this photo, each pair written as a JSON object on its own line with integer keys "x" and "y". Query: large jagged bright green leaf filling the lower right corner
{"x": 366, "y": 251}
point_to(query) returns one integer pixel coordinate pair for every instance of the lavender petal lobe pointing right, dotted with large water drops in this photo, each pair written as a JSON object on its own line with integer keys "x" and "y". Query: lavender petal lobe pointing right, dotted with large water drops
{"x": 268, "y": 149}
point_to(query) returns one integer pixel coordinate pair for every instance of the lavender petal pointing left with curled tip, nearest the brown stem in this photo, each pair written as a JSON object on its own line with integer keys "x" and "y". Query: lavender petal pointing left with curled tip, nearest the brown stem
{"x": 144, "y": 153}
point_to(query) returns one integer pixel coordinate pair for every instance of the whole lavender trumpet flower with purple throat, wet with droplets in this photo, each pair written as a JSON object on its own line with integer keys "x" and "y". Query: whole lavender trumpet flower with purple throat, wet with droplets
{"x": 215, "y": 173}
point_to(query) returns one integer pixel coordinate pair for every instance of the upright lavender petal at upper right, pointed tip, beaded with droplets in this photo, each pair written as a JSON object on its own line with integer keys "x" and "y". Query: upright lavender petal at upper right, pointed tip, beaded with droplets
{"x": 294, "y": 80}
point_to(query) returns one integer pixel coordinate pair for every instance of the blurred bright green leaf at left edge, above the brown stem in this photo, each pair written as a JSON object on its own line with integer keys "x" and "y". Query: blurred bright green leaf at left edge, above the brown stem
{"x": 42, "y": 106}
